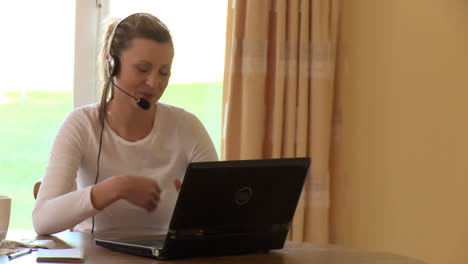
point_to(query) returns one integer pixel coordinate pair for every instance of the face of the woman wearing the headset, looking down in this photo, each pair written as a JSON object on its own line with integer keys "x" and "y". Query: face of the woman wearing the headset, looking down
{"x": 145, "y": 68}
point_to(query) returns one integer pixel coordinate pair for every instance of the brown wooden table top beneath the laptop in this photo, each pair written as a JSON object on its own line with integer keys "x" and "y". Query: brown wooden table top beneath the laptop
{"x": 292, "y": 253}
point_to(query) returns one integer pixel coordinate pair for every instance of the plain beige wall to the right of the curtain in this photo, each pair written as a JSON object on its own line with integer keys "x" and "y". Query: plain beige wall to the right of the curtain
{"x": 405, "y": 96}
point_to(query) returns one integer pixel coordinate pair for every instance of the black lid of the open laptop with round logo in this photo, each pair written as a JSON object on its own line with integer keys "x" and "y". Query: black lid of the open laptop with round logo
{"x": 239, "y": 196}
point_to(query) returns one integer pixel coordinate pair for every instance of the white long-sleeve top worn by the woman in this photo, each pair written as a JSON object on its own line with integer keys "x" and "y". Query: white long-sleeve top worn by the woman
{"x": 177, "y": 138}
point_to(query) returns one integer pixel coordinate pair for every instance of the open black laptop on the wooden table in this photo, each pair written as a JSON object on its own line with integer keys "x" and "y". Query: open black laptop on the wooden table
{"x": 226, "y": 208}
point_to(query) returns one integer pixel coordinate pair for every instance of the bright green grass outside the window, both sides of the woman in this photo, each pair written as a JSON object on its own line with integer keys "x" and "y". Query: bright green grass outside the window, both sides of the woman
{"x": 28, "y": 126}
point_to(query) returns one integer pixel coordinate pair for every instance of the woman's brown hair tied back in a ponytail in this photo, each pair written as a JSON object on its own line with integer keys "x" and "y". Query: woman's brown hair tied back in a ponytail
{"x": 139, "y": 25}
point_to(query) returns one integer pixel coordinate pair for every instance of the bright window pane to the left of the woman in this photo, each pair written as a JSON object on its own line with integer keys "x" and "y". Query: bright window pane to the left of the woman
{"x": 36, "y": 72}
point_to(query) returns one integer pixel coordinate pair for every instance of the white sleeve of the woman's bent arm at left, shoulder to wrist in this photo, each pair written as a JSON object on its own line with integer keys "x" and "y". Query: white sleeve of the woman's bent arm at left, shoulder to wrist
{"x": 57, "y": 206}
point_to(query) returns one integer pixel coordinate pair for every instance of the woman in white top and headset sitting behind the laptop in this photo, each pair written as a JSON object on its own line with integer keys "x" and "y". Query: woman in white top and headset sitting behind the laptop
{"x": 128, "y": 161}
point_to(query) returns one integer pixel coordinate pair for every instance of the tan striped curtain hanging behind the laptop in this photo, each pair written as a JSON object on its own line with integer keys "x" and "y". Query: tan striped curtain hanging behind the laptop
{"x": 279, "y": 95}
